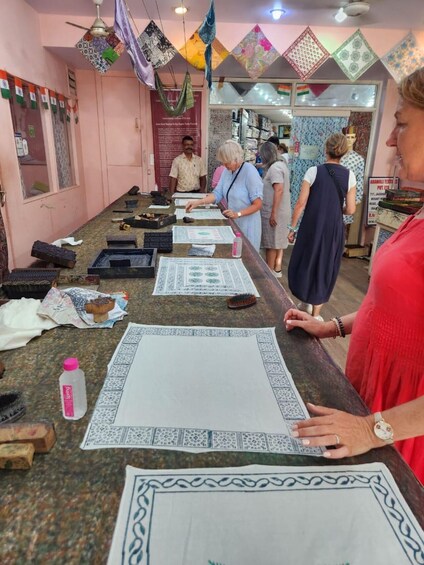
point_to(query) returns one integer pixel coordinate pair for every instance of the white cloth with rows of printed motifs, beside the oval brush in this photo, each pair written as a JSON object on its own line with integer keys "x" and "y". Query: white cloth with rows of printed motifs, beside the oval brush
{"x": 207, "y": 277}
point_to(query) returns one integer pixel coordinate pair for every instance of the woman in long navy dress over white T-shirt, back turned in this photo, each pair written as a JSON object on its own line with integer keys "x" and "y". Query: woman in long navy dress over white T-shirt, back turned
{"x": 327, "y": 192}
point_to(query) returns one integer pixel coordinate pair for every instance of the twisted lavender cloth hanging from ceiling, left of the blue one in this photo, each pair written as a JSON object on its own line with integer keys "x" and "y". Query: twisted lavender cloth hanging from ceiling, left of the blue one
{"x": 142, "y": 68}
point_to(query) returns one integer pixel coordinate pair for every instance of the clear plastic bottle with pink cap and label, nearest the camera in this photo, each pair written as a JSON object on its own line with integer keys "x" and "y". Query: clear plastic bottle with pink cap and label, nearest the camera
{"x": 72, "y": 390}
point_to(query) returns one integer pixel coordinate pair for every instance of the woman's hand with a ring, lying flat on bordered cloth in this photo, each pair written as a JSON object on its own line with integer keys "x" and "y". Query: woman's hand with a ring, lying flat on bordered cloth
{"x": 351, "y": 435}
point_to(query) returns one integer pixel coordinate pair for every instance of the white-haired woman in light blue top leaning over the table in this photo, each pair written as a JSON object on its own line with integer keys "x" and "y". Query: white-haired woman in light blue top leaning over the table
{"x": 240, "y": 190}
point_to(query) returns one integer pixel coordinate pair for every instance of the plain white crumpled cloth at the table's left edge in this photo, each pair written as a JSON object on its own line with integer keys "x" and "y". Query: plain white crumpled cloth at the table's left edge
{"x": 19, "y": 323}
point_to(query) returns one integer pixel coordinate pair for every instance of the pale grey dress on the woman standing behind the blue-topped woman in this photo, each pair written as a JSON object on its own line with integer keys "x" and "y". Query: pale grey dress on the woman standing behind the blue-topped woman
{"x": 276, "y": 238}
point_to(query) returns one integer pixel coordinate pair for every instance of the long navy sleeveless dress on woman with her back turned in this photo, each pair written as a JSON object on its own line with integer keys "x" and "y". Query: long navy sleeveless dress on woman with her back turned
{"x": 317, "y": 253}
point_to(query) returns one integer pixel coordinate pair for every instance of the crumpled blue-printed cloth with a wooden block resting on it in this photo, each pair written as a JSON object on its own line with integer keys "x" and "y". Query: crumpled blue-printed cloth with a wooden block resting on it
{"x": 67, "y": 306}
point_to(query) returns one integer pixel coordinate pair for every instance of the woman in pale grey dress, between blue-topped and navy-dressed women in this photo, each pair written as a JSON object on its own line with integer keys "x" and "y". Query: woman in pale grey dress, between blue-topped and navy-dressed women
{"x": 276, "y": 211}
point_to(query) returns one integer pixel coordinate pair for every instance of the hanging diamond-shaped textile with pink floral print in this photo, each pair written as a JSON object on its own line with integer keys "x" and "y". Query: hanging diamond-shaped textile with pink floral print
{"x": 255, "y": 53}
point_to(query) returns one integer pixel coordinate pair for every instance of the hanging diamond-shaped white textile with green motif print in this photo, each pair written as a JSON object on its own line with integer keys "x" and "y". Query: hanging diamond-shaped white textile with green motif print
{"x": 355, "y": 56}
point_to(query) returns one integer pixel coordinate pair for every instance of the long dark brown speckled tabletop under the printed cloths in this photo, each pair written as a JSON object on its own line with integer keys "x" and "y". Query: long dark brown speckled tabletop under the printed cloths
{"x": 63, "y": 510}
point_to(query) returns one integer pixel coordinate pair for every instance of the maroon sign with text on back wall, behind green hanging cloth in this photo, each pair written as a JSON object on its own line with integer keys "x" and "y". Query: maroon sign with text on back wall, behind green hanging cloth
{"x": 168, "y": 132}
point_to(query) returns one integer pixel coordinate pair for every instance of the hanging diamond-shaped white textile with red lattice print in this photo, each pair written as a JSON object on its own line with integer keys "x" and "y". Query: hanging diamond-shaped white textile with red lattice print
{"x": 306, "y": 54}
